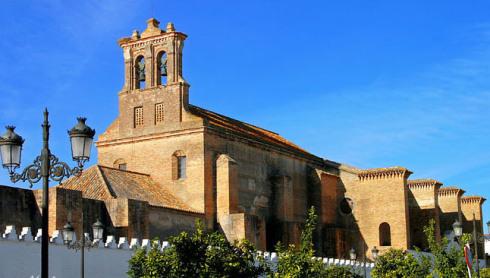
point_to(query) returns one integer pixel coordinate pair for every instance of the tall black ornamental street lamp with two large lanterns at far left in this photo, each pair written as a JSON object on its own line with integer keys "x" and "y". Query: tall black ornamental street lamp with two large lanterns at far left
{"x": 46, "y": 167}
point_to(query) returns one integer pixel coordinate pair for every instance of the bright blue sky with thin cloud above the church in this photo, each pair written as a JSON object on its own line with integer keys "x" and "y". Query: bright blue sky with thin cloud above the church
{"x": 368, "y": 84}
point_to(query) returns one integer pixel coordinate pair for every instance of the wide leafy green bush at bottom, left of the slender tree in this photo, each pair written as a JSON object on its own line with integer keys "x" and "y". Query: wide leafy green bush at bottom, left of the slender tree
{"x": 199, "y": 254}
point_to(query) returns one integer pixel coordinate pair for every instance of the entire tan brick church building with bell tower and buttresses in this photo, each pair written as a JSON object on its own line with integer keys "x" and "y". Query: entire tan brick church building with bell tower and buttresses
{"x": 163, "y": 163}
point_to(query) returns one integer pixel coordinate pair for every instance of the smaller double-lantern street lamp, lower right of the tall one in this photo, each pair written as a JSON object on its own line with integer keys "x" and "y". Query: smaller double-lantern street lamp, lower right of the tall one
{"x": 69, "y": 235}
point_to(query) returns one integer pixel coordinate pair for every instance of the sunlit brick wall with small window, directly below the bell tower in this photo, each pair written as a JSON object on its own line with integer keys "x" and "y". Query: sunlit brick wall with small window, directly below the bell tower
{"x": 154, "y": 156}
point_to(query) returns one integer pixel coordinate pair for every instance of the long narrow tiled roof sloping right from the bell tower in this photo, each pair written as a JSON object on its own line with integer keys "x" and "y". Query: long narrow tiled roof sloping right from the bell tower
{"x": 247, "y": 130}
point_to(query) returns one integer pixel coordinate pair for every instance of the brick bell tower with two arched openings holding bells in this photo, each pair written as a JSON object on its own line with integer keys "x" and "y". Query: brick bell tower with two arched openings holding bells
{"x": 154, "y": 97}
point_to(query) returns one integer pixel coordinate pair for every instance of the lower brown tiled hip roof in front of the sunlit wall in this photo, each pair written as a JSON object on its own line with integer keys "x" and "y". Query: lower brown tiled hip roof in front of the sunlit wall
{"x": 104, "y": 183}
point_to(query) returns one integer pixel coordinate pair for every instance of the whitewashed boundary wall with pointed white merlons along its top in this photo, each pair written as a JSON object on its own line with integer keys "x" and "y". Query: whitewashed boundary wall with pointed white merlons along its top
{"x": 20, "y": 256}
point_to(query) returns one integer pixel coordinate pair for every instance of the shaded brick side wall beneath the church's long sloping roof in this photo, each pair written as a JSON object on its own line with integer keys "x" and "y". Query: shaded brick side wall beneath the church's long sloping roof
{"x": 272, "y": 186}
